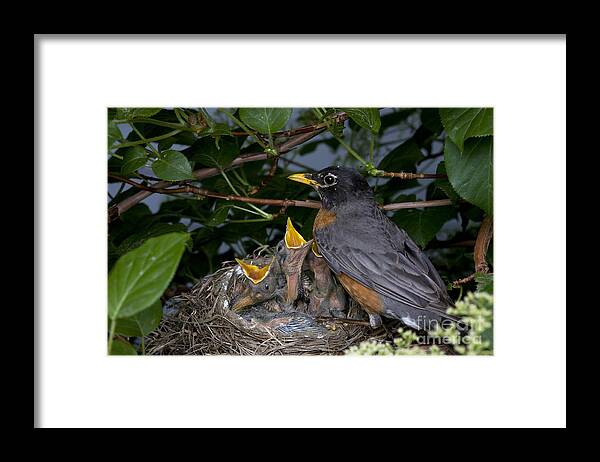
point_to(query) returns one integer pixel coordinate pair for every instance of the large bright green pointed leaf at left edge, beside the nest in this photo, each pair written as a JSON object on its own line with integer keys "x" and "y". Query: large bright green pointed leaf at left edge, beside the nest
{"x": 140, "y": 277}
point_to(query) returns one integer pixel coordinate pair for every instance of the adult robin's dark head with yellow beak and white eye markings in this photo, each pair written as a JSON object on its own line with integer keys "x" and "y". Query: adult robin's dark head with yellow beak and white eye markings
{"x": 336, "y": 185}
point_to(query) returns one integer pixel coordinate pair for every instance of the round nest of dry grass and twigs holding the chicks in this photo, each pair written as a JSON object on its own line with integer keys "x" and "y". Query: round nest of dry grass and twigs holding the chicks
{"x": 200, "y": 322}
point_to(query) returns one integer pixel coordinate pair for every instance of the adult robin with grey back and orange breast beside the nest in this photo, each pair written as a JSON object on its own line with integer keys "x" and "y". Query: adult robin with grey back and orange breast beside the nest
{"x": 377, "y": 263}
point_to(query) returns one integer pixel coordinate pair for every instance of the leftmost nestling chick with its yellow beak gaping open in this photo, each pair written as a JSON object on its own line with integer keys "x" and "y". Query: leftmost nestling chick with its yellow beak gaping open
{"x": 260, "y": 283}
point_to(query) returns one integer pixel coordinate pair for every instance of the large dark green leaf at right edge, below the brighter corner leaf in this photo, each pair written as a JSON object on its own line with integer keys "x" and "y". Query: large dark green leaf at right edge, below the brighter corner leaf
{"x": 471, "y": 173}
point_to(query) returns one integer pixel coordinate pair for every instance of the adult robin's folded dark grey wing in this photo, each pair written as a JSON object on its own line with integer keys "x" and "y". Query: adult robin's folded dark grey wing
{"x": 375, "y": 252}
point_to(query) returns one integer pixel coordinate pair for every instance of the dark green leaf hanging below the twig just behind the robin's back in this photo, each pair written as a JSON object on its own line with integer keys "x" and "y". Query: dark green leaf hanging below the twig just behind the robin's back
{"x": 423, "y": 225}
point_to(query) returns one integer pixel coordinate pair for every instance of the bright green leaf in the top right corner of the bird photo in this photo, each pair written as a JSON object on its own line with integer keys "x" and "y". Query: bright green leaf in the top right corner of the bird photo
{"x": 464, "y": 123}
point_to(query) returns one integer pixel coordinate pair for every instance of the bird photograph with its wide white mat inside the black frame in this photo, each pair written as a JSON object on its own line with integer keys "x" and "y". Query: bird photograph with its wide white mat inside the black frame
{"x": 371, "y": 226}
